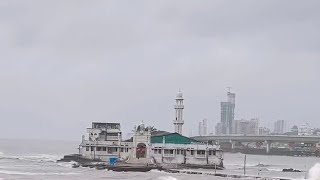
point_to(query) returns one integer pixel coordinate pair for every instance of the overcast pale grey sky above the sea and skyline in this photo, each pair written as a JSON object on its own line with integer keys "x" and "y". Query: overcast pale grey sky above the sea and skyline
{"x": 65, "y": 64}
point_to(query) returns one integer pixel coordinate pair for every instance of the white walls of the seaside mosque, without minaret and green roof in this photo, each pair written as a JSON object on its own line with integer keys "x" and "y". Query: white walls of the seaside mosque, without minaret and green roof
{"x": 140, "y": 149}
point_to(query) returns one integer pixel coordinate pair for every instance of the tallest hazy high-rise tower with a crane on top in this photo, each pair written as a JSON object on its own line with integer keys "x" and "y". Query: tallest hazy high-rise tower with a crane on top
{"x": 227, "y": 114}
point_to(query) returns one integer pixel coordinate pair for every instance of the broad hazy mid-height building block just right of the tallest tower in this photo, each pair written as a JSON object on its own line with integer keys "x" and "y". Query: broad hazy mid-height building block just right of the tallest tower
{"x": 246, "y": 126}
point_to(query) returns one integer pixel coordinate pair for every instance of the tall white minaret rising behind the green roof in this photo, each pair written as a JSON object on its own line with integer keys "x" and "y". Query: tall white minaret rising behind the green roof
{"x": 178, "y": 122}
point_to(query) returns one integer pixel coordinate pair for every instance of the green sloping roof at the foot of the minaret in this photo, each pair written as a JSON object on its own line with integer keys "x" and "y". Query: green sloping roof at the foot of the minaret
{"x": 173, "y": 138}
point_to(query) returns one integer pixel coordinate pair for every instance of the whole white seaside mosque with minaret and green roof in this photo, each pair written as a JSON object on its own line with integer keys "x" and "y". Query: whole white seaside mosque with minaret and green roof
{"x": 149, "y": 147}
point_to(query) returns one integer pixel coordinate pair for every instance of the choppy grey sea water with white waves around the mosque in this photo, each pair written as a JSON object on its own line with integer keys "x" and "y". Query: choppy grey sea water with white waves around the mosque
{"x": 37, "y": 160}
